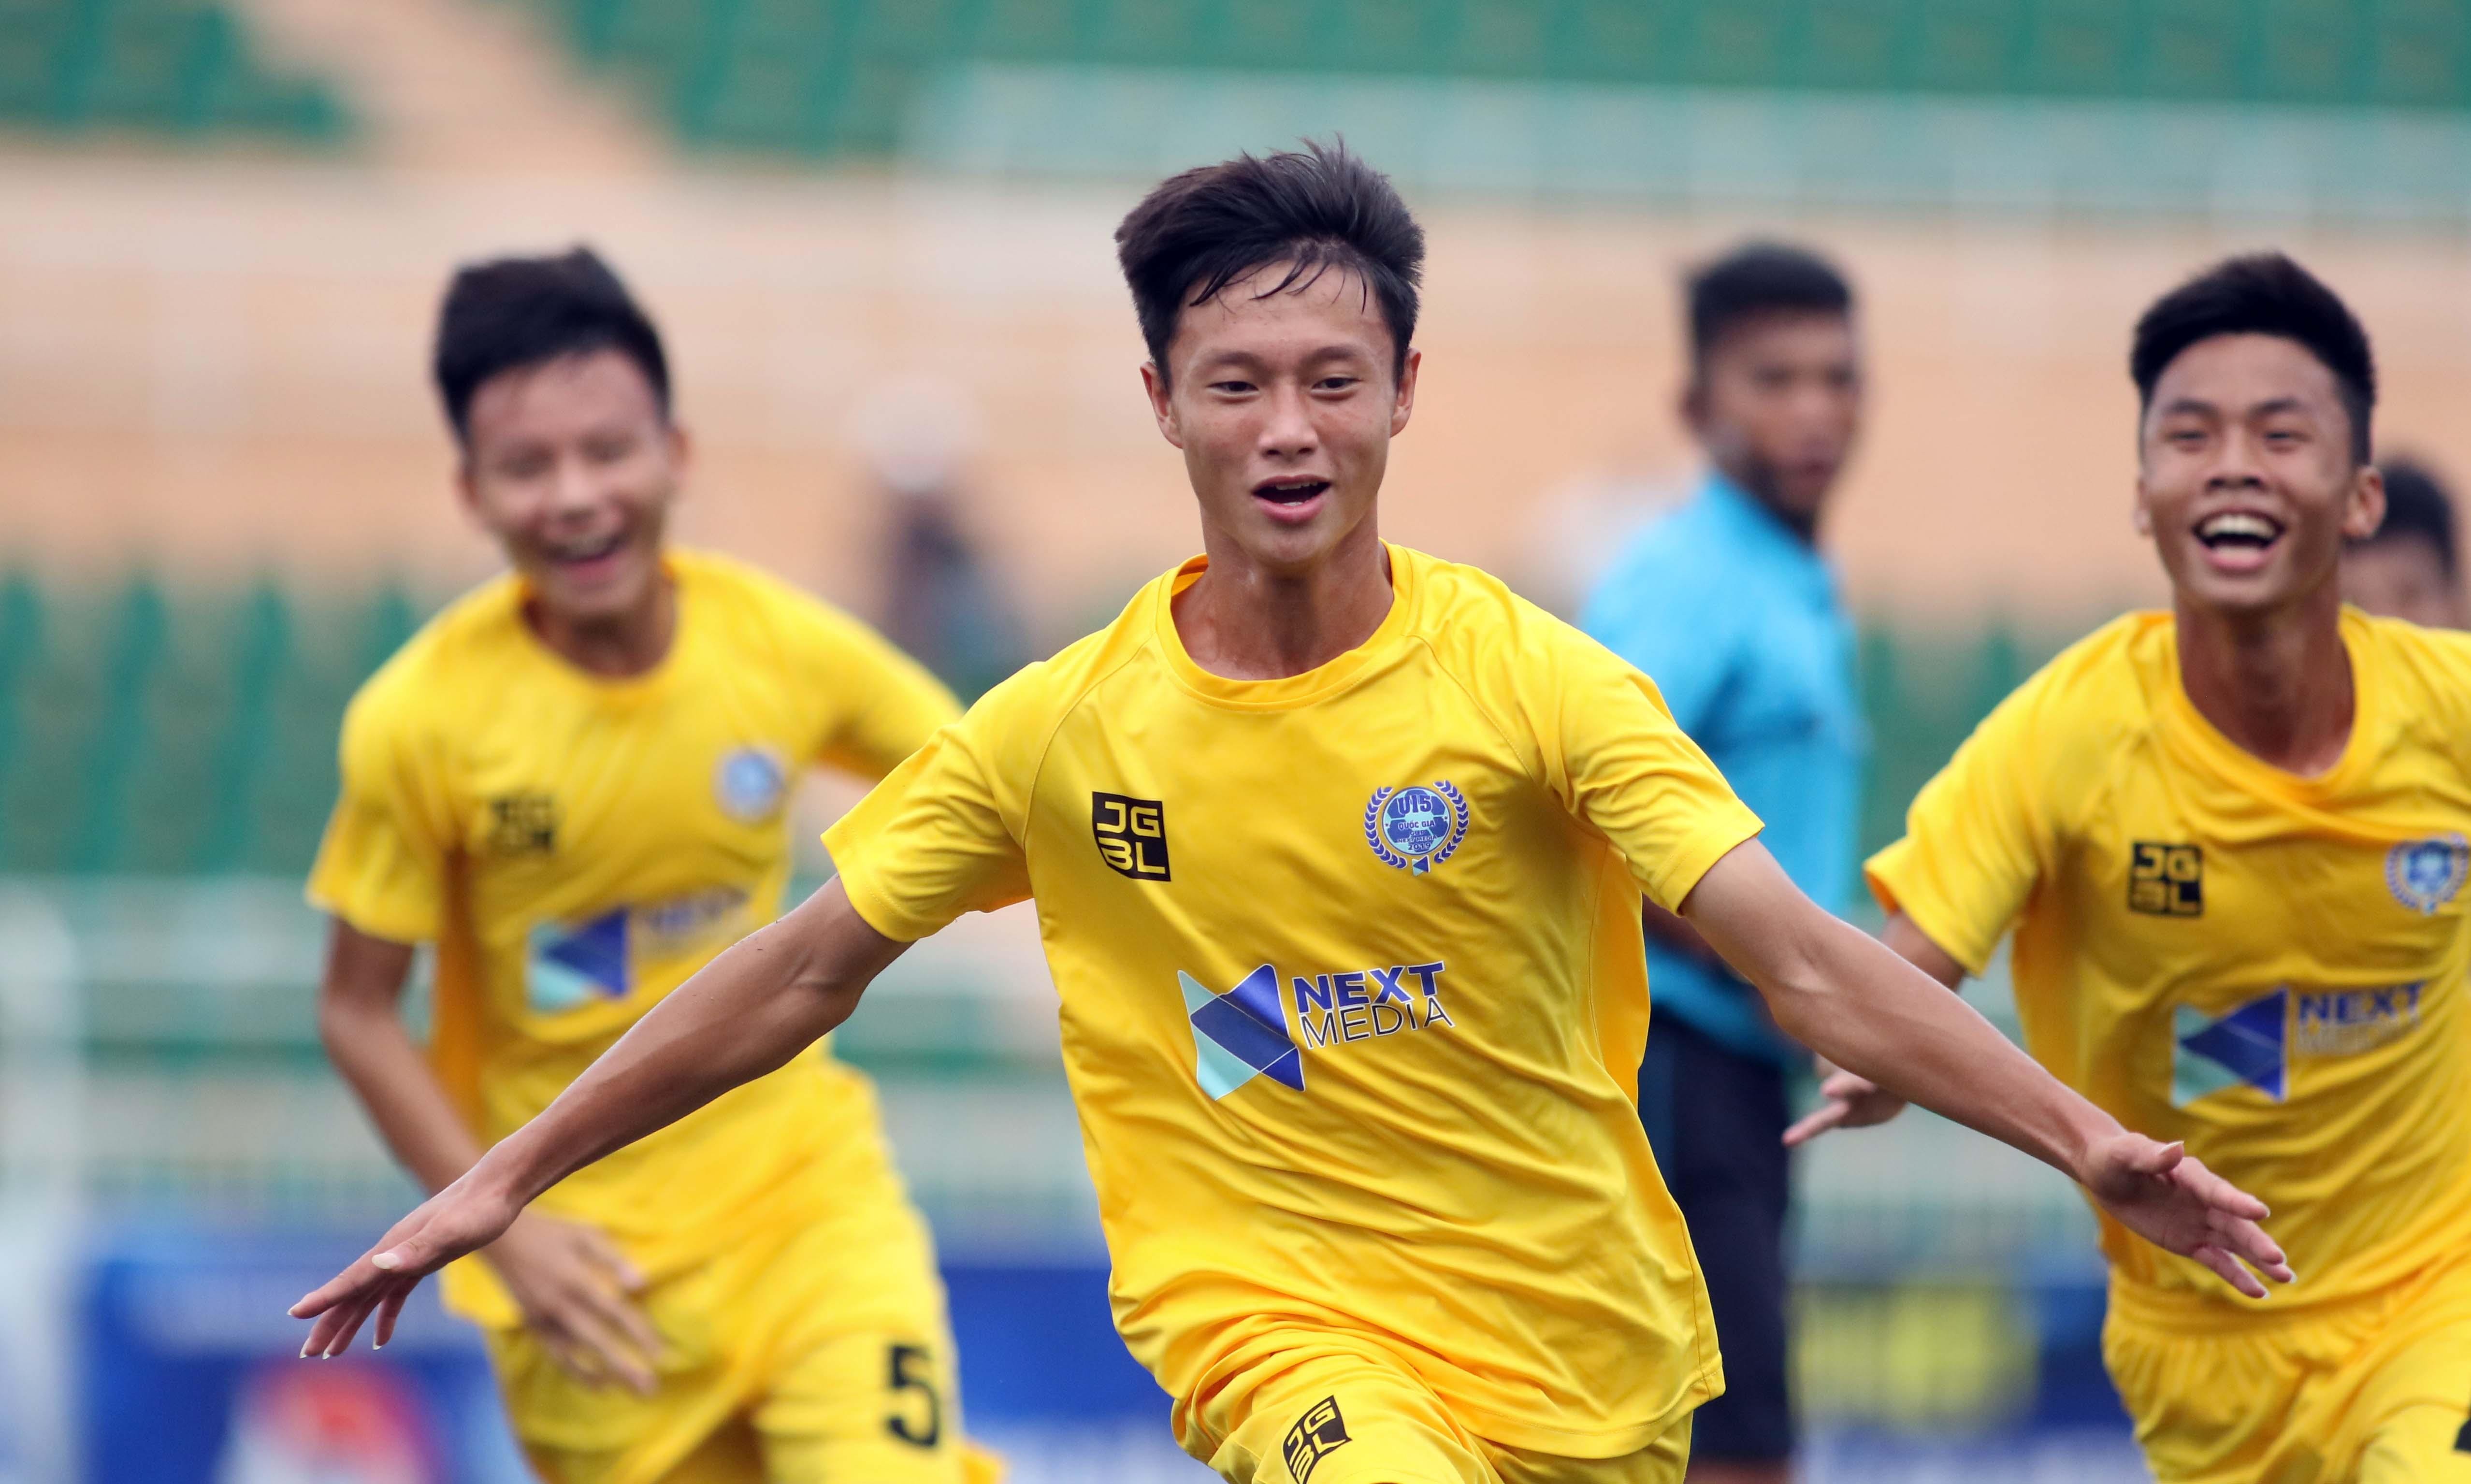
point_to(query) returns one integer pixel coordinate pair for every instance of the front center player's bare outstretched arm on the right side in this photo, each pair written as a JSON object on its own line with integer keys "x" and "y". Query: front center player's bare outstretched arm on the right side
{"x": 1857, "y": 1004}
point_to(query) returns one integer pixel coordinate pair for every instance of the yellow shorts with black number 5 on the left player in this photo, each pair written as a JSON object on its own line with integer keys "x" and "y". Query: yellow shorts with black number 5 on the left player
{"x": 809, "y": 1357}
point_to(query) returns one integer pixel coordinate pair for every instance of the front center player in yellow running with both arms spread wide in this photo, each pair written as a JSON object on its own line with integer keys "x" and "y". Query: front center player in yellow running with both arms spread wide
{"x": 1338, "y": 858}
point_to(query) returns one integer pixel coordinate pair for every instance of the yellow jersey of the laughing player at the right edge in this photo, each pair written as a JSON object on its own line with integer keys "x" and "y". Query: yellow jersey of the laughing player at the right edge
{"x": 2220, "y": 952}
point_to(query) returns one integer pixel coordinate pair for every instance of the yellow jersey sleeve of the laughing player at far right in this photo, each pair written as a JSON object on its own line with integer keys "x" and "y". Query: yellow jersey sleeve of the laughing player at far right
{"x": 1976, "y": 841}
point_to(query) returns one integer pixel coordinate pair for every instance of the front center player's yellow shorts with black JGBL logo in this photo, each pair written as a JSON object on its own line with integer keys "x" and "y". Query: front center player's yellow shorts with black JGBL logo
{"x": 1355, "y": 1419}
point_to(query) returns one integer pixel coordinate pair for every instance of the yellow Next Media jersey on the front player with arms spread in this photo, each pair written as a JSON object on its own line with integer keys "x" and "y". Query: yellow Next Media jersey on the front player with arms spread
{"x": 1353, "y": 991}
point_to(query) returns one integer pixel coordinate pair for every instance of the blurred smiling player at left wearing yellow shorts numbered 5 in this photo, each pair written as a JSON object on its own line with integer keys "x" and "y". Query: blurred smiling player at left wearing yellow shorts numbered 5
{"x": 575, "y": 784}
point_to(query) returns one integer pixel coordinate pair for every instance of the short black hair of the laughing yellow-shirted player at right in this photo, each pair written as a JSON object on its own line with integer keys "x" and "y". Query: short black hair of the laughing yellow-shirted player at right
{"x": 2262, "y": 295}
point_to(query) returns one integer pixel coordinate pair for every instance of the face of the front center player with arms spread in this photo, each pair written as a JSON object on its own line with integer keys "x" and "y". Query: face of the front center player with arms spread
{"x": 1284, "y": 409}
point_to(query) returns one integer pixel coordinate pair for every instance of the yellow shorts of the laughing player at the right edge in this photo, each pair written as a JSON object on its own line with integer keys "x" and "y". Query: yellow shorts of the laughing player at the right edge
{"x": 2371, "y": 1391}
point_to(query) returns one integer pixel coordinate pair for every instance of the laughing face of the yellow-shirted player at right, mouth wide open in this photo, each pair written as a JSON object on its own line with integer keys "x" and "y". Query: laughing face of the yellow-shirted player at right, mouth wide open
{"x": 2247, "y": 480}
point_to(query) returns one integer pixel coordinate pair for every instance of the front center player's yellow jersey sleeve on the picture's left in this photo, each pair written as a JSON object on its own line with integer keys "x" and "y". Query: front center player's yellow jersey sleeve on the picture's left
{"x": 943, "y": 833}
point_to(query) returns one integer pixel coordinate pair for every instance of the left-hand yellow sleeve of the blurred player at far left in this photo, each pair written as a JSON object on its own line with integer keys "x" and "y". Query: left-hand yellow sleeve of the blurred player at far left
{"x": 384, "y": 861}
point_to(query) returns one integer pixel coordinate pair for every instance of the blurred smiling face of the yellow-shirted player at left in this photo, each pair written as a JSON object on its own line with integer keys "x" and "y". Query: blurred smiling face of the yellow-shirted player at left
{"x": 572, "y": 468}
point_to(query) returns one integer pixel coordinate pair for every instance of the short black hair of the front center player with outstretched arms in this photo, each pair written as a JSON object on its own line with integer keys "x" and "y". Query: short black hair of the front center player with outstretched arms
{"x": 1316, "y": 209}
